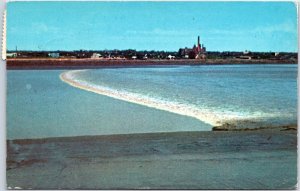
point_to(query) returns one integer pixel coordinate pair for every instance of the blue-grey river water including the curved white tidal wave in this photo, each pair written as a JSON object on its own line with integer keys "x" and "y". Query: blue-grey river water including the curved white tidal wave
{"x": 40, "y": 103}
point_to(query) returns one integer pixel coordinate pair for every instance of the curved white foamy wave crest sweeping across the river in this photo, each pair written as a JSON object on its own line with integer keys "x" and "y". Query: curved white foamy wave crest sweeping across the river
{"x": 213, "y": 118}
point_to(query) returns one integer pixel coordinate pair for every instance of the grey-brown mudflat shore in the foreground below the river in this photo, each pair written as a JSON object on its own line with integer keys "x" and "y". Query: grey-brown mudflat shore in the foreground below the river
{"x": 264, "y": 159}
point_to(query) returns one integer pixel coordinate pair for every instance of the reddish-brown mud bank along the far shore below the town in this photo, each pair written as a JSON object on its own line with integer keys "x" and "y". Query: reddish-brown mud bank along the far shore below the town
{"x": 38, "y": 63}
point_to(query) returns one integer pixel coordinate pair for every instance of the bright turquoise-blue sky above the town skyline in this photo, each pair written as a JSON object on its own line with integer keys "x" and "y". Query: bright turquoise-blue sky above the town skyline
{"x": 222, "y": 26}
